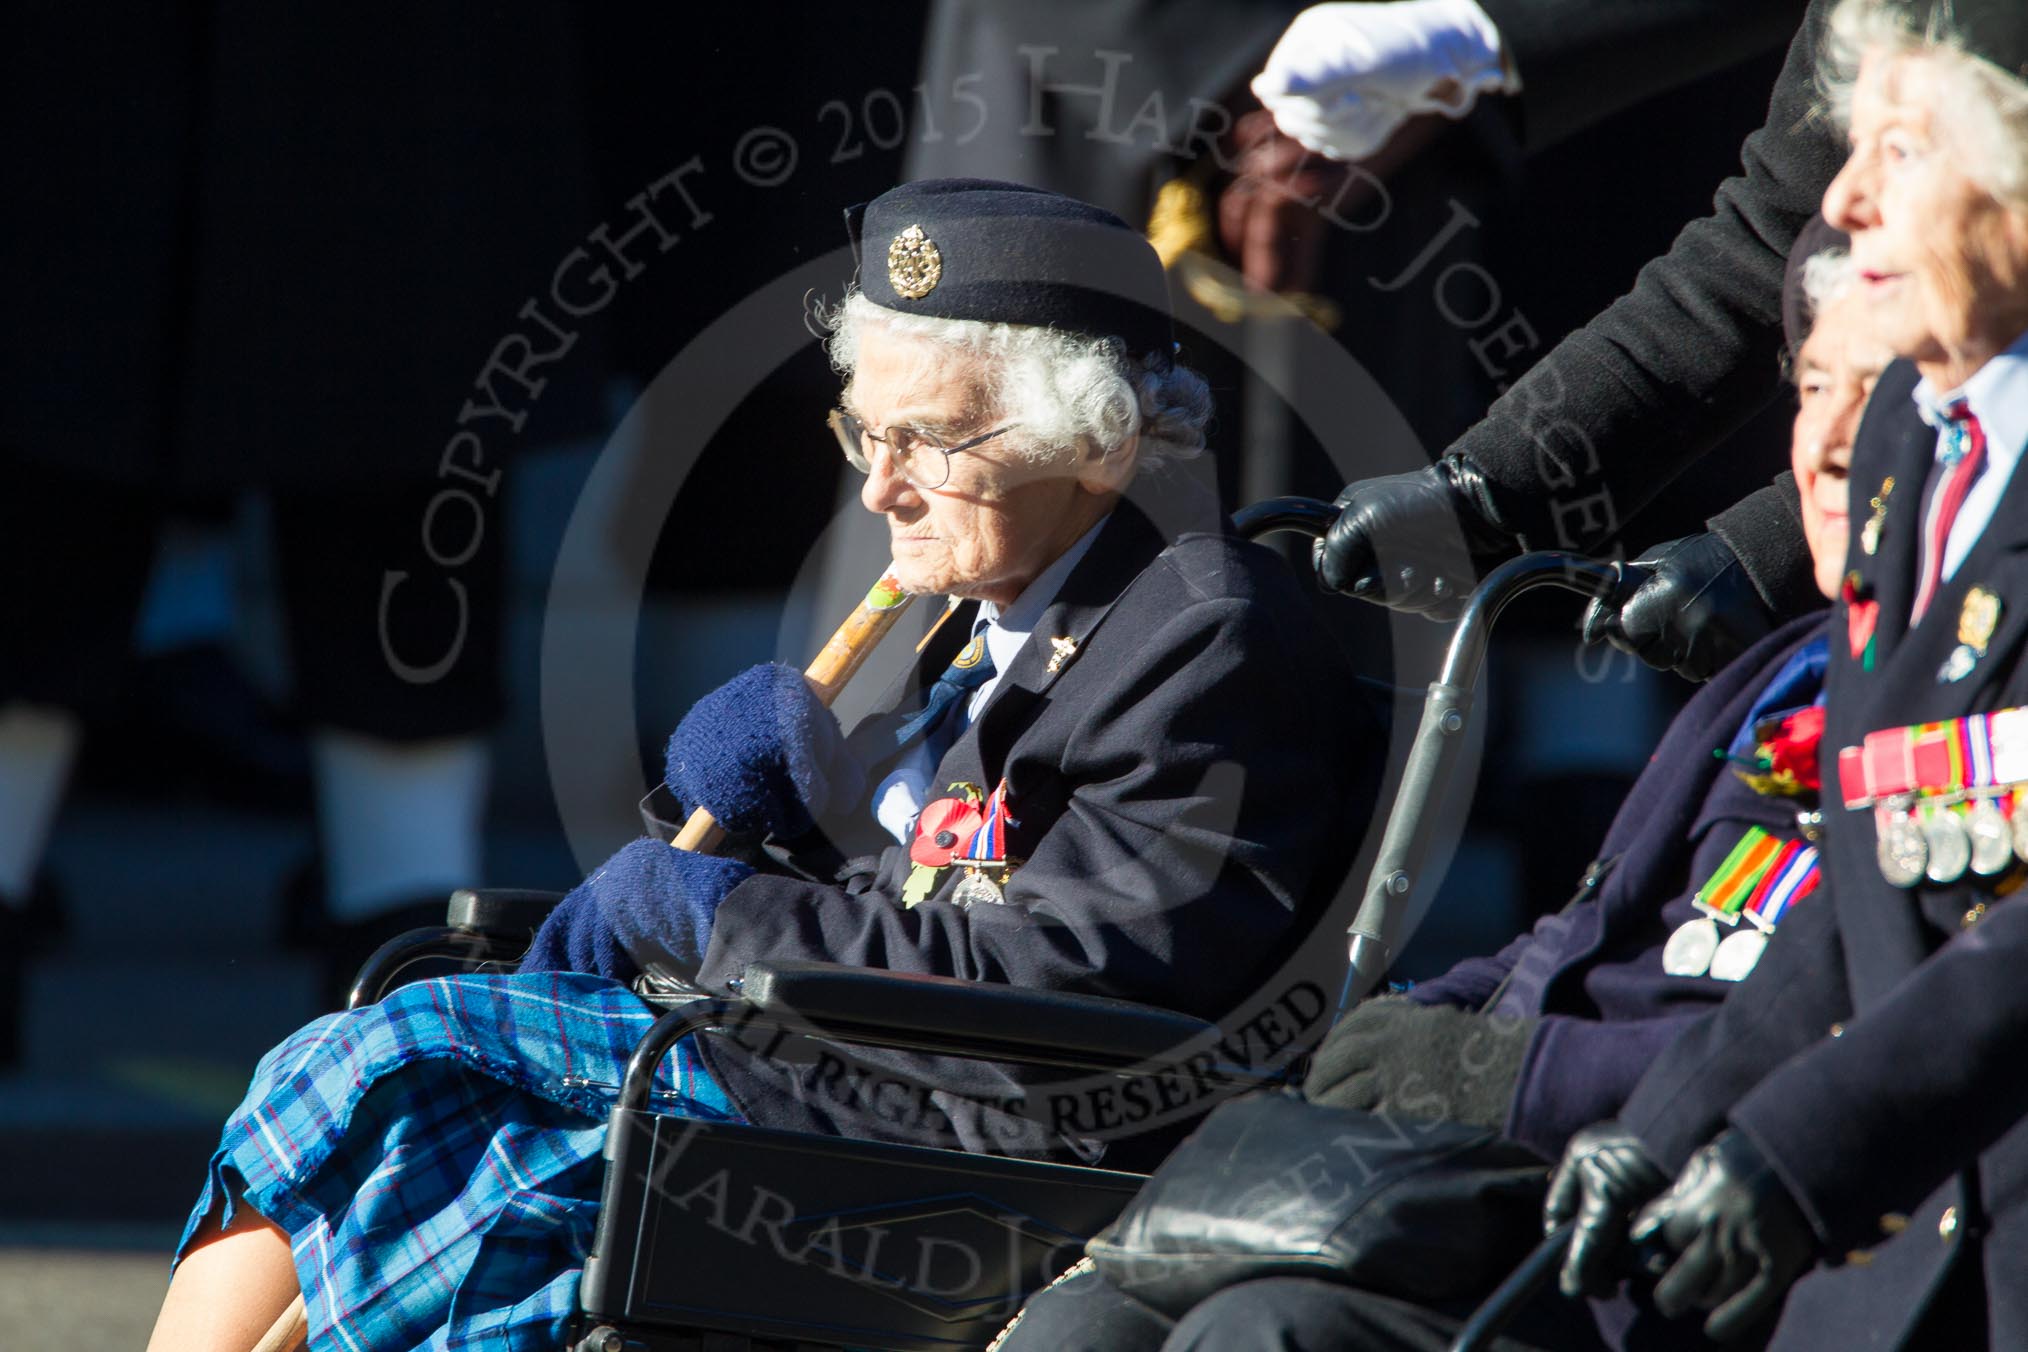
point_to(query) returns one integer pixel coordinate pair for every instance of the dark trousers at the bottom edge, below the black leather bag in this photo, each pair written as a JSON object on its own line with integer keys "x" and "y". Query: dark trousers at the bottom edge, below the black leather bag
{"x": 1275, "y": 1315}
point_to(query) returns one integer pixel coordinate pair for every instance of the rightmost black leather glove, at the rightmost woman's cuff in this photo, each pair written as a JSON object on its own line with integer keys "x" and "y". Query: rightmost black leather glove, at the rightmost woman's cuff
{"x": 1737, "y": 1235}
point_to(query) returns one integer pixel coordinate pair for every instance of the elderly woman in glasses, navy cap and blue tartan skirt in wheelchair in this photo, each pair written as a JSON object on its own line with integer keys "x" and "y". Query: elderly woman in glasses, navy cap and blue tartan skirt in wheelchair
{"x": 1120, "y": 767}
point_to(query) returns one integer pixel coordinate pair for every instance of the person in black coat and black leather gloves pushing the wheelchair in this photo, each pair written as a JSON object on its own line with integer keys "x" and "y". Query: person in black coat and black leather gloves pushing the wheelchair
{"x": 1617, "y": 410}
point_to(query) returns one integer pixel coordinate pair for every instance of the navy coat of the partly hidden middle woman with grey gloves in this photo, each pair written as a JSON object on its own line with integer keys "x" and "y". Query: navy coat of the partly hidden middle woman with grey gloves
{"x": 1593, "y": 972}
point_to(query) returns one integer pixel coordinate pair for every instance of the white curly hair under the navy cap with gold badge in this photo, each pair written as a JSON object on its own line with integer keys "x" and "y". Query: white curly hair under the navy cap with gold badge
{"x": 1058, "y": 388}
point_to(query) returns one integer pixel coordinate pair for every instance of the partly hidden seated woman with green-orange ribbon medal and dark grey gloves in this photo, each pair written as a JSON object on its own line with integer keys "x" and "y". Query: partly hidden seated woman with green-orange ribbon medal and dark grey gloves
{"x": 1723, "y": 828}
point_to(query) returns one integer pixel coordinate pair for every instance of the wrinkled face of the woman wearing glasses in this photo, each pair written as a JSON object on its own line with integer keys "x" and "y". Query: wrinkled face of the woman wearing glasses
{"x": 1001, "y": 518}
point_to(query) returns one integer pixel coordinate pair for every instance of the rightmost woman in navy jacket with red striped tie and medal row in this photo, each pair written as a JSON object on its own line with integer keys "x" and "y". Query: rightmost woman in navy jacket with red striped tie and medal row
{"x": 1849, "y": 1134}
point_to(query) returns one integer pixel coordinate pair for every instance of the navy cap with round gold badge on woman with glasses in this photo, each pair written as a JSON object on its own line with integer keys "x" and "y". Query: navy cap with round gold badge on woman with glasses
{"x": 1009, "y": 254}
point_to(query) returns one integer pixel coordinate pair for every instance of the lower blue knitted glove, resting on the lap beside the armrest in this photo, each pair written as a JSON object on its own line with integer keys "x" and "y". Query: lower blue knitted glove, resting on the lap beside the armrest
{"x": 650, "y": 903}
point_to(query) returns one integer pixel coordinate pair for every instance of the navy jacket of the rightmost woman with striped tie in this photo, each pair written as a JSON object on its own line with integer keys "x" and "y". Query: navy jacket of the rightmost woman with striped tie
{"x": 1875, "y": 1057}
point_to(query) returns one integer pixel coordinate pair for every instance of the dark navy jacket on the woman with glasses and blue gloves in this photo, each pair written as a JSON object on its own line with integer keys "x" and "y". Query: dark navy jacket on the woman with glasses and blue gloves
{"x": 1189, "y": 790}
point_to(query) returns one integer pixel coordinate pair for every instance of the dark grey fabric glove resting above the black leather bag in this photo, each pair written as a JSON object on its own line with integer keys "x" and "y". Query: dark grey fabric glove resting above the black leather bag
{"x": 1423, "y": 1061}
